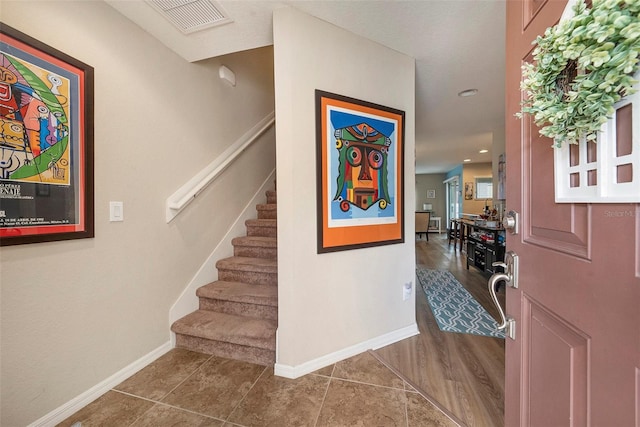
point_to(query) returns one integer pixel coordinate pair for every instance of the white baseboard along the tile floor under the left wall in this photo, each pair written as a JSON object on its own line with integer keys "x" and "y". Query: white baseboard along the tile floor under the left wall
{"x": 74, "y": 405}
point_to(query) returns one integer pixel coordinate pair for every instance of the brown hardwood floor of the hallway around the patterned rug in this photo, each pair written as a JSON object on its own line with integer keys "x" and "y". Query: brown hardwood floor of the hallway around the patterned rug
{"x": 462, "y": 374}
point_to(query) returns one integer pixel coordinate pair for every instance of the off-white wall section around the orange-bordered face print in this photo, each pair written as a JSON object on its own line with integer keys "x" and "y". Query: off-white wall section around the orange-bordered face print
{"x": 331, "y": 303}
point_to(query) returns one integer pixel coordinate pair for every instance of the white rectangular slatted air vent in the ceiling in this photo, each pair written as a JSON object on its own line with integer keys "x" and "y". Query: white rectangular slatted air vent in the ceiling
{"x": 191, "y": 15}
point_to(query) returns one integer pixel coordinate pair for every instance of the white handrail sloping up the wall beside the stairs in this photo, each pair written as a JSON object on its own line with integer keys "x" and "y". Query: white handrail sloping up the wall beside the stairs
{"x": 185, "y": 194}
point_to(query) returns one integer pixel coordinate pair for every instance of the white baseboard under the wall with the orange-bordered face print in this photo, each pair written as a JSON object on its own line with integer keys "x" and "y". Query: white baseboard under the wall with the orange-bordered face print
{"x": 297, "y": 371}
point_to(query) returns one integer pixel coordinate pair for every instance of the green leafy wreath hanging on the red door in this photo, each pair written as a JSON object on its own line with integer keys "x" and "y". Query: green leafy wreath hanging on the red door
{"x": 583, "y": 66}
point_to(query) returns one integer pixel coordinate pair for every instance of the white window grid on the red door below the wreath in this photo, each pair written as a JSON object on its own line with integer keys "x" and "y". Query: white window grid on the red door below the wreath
{"x": 594, "y": 179}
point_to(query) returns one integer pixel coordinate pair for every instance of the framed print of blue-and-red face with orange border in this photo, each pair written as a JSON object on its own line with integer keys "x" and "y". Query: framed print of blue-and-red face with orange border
{"x": 360, "y": 173}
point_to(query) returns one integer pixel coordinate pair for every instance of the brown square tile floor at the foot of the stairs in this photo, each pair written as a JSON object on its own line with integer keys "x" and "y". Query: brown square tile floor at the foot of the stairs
{"x": 184, "y": 388}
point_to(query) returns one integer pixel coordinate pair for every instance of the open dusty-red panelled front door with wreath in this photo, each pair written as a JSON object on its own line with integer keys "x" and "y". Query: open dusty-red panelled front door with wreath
{"x": 576, "y": 357}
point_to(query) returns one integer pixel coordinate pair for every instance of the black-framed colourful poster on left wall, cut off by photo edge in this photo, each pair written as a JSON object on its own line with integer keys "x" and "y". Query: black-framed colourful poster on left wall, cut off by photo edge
{"x": 46, "y": 142}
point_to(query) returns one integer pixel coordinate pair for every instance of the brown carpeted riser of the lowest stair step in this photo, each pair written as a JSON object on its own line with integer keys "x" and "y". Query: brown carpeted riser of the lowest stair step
{"x": 248, "y": 354}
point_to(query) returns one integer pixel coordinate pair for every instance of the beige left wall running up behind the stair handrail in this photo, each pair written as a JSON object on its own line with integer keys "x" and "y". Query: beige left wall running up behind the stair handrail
{"x": 73, "y": 313}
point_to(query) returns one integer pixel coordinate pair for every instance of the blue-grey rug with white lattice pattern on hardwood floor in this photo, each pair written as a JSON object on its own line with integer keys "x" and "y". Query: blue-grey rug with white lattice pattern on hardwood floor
{"x": 453, "y": 306}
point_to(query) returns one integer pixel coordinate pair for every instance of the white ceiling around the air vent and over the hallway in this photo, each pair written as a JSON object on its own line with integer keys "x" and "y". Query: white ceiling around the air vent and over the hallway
{"x": 457, "y": 44}
